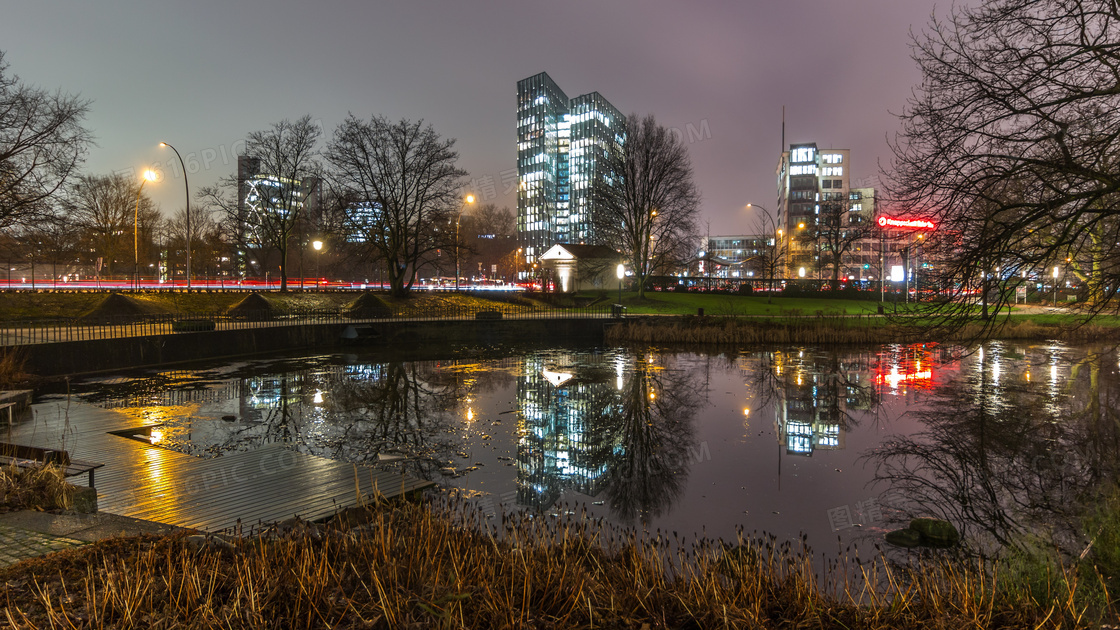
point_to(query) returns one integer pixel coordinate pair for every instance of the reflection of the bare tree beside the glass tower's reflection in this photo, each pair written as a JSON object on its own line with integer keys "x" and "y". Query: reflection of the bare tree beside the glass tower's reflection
{"x": 654, "y": 432}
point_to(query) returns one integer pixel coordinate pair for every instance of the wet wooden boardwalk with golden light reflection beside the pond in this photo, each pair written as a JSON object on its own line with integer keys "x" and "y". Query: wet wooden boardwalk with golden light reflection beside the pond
{"x": 267, "y": 485}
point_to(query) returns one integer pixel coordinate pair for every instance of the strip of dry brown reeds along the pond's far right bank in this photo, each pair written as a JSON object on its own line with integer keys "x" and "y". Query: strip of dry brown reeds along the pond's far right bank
{"x": 836, "y": 330}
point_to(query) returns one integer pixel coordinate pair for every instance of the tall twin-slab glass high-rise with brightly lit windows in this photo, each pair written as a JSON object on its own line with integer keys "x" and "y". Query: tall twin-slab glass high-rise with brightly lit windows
{"x": 563, "y": 163}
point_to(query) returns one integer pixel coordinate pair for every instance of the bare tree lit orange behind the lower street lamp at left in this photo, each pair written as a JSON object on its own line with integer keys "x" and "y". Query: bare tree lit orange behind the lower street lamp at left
{"x": 105, "y": 208}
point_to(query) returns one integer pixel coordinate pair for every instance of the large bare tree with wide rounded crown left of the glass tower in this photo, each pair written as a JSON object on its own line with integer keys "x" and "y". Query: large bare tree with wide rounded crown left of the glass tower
{"x": 407, "y": 184}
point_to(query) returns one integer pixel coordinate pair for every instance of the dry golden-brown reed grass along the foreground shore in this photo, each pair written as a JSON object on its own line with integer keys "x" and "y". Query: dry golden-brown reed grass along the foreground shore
{"x": 433, "y": 567}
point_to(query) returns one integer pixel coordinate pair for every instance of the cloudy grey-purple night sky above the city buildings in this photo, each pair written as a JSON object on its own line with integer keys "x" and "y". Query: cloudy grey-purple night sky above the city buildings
{"x": 204, "y": 73}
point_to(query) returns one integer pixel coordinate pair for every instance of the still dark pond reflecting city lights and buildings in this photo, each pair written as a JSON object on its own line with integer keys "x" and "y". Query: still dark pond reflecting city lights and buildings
{"x": 839, "y": 444}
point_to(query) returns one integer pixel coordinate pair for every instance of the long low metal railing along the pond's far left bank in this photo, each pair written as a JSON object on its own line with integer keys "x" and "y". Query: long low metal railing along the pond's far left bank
{"x": 38, "y": 331}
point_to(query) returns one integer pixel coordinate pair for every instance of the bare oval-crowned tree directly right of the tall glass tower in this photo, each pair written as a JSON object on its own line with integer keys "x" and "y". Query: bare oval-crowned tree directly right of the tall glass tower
{"x": 651, "y": 210}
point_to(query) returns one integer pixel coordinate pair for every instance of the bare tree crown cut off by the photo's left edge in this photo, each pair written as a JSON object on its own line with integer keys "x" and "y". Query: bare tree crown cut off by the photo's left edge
{"x": 42, "y": 146}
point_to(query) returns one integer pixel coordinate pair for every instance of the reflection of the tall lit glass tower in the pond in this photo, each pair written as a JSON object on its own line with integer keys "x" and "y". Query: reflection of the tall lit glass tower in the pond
{"x": 557, "y": 449}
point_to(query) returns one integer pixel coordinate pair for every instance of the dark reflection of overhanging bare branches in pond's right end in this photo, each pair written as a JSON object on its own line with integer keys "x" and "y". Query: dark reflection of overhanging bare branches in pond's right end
{"x": 1003, "y": 457}
